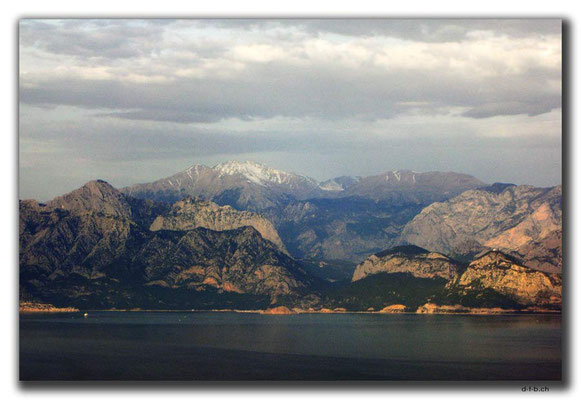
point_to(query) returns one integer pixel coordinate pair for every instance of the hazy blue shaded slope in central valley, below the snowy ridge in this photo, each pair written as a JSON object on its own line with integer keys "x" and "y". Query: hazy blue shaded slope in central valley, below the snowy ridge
{"x": 348, "y": 228}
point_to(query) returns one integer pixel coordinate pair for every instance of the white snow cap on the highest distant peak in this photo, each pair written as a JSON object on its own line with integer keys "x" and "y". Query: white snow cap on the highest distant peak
{"x": 257, "y": 173}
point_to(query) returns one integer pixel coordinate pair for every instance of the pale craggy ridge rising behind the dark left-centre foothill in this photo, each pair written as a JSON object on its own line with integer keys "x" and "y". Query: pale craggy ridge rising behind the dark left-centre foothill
{"x": 191, "y": 213}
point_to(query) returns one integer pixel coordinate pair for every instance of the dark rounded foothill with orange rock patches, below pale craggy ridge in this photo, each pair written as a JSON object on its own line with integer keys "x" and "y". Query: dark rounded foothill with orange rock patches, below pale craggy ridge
{"x": 238, "y": 260}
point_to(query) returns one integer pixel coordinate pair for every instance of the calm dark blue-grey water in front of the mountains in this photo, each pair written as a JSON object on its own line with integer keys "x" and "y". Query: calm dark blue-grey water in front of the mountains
{"x": 232, "y": 346}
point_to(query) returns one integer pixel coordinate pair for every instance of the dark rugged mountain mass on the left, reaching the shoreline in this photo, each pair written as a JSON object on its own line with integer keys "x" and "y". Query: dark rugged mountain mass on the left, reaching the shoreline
{"x": 93, "y": 248}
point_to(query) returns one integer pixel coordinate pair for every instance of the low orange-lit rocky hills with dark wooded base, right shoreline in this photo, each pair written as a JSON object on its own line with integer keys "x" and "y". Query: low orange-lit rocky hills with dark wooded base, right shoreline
{"x": 412, "y": 278}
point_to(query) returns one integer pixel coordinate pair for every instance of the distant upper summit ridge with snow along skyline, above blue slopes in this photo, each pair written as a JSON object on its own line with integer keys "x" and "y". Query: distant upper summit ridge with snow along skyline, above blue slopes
{"x": 256, "y": 187}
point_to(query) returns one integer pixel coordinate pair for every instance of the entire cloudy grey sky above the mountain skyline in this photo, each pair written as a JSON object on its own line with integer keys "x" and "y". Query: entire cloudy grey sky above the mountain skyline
{"x": 132, "y": 101}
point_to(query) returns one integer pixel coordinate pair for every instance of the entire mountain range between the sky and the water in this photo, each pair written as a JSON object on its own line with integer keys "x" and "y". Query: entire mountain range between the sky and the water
{"x": 242, "y": 235}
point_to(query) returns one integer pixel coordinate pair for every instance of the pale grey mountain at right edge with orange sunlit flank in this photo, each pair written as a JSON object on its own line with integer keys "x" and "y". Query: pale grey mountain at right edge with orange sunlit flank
{"x": 524, "y": 220}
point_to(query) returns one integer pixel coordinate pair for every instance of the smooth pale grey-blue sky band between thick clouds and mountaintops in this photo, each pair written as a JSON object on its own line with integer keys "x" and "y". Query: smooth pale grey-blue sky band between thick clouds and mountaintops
{"x": 57, "y": 157}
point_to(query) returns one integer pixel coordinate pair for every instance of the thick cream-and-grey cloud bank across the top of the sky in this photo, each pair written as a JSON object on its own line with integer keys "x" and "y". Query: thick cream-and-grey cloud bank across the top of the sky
{"x": 166, "y": 72}
